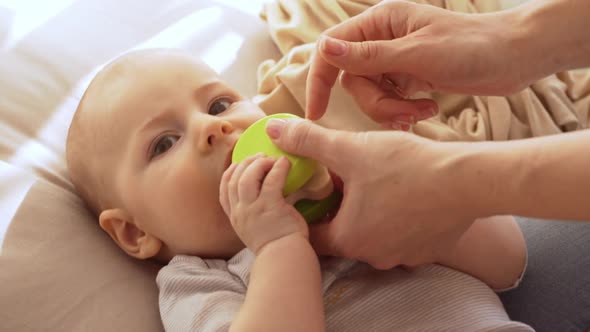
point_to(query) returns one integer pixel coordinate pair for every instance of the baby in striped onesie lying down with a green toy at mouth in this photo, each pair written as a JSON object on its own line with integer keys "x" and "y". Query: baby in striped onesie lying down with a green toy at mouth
{"x": 149, "y": 150}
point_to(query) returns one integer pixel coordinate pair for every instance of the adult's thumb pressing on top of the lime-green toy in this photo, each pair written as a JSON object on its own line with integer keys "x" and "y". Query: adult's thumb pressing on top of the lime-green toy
{"x": 303, "y": 138}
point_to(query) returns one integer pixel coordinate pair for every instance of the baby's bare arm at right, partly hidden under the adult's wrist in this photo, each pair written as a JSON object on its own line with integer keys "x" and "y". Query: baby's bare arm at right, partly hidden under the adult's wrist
{"x": 492, "y": 250}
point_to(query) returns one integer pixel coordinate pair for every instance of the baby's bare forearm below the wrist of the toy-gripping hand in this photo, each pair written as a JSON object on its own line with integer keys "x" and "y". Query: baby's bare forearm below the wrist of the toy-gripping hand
{"x": 284, "y": 293}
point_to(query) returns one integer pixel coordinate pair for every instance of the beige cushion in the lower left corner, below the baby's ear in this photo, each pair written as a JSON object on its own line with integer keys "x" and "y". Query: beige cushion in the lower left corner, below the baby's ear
{"x": 60, "y": 272}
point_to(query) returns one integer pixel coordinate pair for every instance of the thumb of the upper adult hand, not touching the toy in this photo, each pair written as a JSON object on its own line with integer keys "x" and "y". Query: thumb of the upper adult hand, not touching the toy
{"x": 371, "y": 57}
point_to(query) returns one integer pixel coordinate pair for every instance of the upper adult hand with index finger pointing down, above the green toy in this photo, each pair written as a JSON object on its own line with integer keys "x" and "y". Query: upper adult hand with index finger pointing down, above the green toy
{"x": 397, "y": 48}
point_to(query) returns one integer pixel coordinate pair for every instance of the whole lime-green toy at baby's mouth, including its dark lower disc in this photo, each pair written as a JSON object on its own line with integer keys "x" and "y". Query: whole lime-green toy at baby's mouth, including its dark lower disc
{"x": 254, "y": 140}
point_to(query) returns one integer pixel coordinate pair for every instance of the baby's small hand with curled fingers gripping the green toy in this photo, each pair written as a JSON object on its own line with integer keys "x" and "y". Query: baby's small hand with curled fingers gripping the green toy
{"x": 251, "y": 194}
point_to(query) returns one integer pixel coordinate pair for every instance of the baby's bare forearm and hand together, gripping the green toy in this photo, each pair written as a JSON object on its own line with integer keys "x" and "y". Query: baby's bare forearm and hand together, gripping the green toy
{"x": 284, "y": 292}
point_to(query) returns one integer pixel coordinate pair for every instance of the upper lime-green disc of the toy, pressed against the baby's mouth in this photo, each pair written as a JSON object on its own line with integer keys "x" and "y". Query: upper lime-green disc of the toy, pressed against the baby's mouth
{"x": 255, "y": 140}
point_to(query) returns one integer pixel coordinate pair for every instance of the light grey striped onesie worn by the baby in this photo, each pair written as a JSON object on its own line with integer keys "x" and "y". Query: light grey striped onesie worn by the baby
{"x": 205, "y": 295}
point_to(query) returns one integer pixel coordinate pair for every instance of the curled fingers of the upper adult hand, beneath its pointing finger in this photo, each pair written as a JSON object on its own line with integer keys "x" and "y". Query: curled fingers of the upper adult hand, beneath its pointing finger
{"x": 384, "y": 105}
